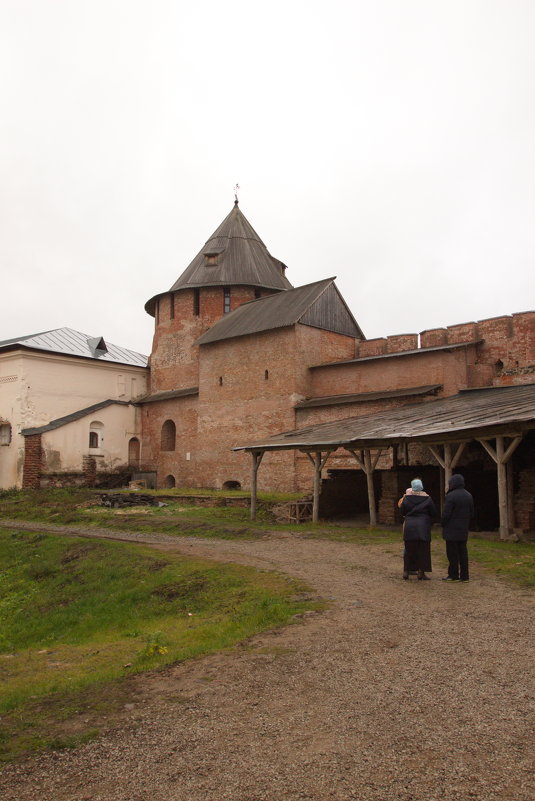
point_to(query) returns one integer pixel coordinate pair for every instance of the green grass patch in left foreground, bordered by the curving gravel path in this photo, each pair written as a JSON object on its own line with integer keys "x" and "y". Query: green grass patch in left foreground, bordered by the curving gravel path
{"x": 78, "y": 616}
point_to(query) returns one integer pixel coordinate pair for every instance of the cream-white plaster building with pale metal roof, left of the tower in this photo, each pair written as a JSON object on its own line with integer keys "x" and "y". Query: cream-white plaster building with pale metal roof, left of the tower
{"x": 73, "y": 393}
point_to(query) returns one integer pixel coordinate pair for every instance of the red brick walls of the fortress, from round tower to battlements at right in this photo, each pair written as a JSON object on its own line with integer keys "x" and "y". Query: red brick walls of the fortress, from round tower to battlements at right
{"x": 240, "y": 402}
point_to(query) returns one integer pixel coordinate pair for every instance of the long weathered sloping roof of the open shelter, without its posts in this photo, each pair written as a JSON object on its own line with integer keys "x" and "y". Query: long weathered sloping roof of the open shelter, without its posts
{"x": 458, "y": 416}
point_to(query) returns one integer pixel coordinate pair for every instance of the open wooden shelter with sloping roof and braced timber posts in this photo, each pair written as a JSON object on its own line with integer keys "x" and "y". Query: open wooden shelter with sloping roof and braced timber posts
{"x": 497, "y": 417}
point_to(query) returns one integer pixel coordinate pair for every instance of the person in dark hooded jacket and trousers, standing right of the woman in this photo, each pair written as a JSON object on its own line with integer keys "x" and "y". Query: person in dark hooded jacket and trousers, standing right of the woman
{"x": 458, "y": 509}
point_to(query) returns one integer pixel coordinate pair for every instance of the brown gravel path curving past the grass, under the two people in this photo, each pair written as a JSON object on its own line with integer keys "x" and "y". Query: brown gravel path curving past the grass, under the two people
{"x": 400, "y": 691}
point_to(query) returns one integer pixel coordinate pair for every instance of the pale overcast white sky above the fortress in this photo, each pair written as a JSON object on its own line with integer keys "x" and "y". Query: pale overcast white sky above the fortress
{"x": 388, "y": 142}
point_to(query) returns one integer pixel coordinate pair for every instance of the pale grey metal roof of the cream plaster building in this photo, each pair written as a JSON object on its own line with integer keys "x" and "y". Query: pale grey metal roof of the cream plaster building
{"x": 69, "y": 342}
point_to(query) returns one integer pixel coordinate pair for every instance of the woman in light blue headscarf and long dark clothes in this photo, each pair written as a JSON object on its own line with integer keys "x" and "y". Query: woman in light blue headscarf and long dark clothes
{"x": 418, "y": 511}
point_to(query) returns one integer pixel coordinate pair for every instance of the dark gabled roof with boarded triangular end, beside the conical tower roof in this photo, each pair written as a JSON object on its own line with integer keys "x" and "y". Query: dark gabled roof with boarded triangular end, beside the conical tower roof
{"x": 319, "y": 305}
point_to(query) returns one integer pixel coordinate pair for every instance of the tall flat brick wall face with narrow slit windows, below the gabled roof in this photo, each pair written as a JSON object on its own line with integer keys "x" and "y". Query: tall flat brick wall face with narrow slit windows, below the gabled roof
{"x": 246, "y": 406}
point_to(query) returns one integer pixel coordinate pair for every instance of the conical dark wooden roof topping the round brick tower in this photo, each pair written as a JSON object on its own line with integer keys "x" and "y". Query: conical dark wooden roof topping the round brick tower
{"x": 242, "y": 259}
